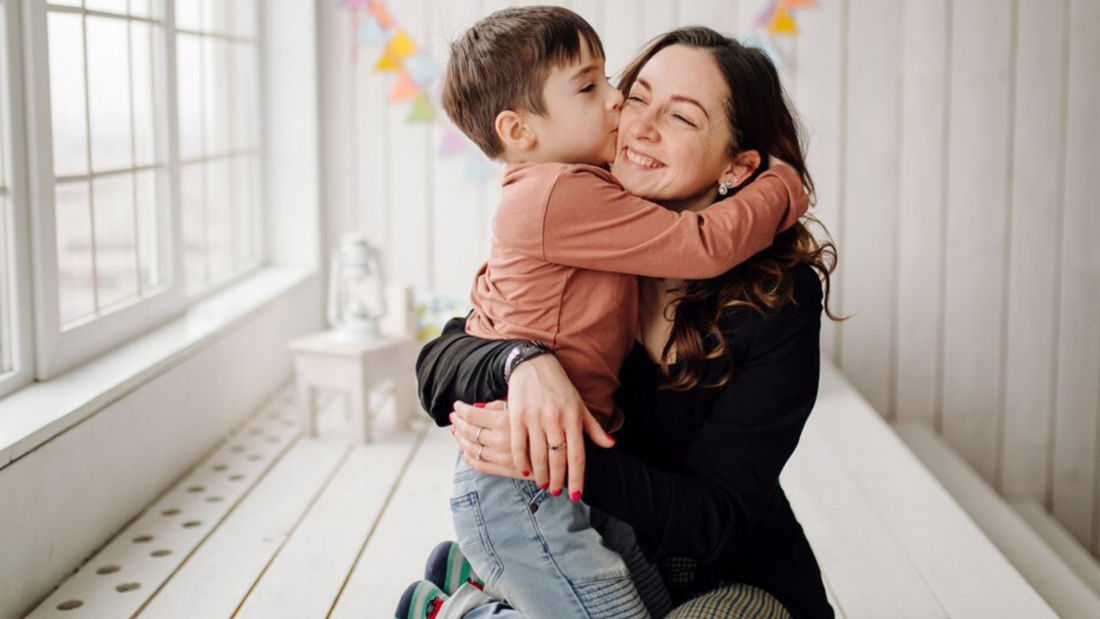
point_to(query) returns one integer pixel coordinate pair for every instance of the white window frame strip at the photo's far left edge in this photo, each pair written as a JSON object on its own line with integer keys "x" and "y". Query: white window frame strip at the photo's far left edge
{"x": 18, "y": 260}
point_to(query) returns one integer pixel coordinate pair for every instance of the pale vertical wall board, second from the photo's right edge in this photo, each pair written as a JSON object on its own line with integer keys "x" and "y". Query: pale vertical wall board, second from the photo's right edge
{"x": 1033, "y": 262}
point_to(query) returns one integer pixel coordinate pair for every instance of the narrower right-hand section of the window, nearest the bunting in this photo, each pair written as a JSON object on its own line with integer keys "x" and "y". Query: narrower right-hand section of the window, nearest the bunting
{"x": 217, "y": 51}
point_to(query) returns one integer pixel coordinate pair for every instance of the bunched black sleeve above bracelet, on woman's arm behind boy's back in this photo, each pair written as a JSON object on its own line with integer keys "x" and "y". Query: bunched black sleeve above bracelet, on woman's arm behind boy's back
{"x": 457, "y": 367}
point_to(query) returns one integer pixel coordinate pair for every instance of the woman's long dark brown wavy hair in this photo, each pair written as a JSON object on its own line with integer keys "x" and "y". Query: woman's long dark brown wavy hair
{"x": 762, "y": 120}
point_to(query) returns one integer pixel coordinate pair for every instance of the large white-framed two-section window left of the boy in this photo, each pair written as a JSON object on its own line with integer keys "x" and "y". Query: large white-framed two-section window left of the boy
{"x": 145, "y": 164}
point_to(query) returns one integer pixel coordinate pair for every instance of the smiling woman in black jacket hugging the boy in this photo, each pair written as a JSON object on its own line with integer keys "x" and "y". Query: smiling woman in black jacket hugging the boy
{"x": 724, "y": 373}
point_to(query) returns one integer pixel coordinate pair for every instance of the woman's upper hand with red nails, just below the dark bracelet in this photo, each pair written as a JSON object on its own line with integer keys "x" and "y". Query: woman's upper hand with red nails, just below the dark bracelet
{"x": 545, "y": 410}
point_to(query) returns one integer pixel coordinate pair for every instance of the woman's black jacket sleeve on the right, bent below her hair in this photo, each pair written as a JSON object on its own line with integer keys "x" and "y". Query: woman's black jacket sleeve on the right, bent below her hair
{"x": 711, "y": 507}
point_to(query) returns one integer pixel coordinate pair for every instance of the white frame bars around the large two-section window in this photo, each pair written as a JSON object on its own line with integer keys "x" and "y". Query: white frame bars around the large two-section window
{"x": 58, "y": 350}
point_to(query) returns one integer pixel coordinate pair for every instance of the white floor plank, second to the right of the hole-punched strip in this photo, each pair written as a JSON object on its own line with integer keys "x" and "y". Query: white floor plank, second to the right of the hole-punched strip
{"x": 306, "y": 578}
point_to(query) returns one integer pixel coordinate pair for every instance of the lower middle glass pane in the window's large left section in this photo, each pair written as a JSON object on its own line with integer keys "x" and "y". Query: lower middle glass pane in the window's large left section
{"x": 116, "y": 244}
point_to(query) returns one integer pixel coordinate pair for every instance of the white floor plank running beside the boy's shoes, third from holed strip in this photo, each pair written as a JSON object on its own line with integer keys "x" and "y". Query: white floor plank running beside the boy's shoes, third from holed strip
{"x": 417, "y": 518}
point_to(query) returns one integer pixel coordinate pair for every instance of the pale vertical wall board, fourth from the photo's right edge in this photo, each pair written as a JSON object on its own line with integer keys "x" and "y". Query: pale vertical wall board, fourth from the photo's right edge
{"x": 926, "y": 56}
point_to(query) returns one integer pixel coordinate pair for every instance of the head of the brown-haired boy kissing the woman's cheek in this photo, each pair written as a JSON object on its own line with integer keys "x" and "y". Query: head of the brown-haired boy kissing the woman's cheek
{"x": 529, "y": 84}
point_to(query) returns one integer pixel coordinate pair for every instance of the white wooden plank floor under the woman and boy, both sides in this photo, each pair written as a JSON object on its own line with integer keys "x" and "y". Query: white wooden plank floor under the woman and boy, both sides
{"x": 276, "y": 526}
